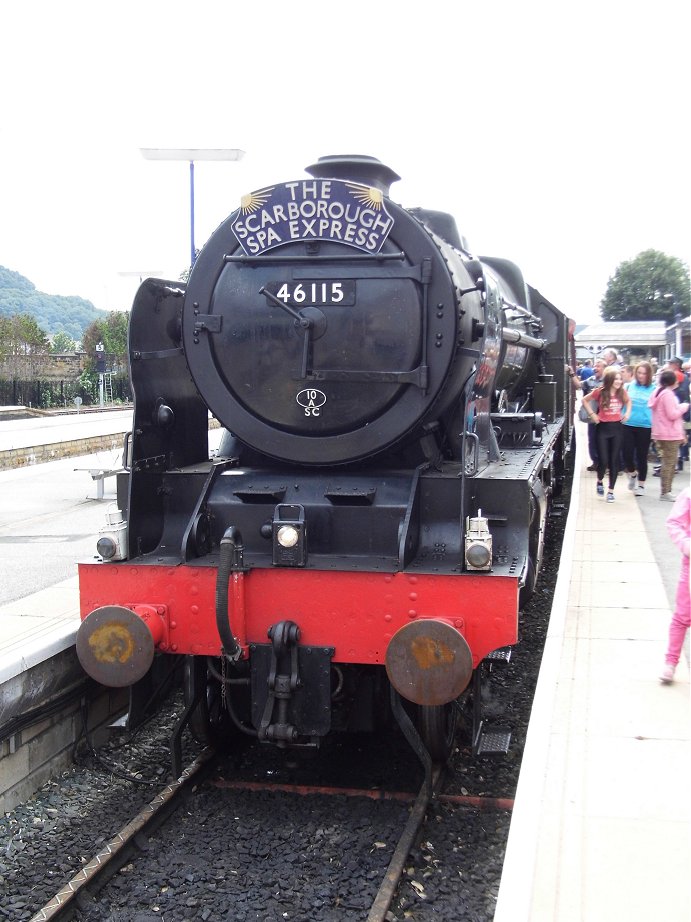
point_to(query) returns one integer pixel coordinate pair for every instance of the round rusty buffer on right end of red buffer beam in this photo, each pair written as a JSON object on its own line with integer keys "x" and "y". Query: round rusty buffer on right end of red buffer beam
{"x": 429, "y": 662}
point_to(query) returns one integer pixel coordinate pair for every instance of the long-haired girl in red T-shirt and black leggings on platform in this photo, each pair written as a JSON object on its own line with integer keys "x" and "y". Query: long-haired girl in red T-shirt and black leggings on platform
{"x": 614, "y": 408}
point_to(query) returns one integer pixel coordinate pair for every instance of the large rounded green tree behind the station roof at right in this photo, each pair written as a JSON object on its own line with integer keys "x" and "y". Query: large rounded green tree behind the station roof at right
{"x": 652, "y": 286}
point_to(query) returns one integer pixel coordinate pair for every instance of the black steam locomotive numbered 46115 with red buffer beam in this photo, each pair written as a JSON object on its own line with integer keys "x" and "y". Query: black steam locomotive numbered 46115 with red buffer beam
{"x": 396, "y": 420}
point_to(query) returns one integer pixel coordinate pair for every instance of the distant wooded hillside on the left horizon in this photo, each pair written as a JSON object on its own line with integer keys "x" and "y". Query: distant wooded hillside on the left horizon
{"x": 53, "y": 313}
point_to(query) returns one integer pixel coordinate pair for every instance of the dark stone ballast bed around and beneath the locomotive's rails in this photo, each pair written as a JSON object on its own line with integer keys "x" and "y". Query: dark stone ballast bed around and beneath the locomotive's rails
{"x": 246, "y": 844}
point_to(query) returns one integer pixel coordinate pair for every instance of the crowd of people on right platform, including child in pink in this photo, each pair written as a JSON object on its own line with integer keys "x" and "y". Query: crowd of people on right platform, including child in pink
{"x": 638, "y": 415}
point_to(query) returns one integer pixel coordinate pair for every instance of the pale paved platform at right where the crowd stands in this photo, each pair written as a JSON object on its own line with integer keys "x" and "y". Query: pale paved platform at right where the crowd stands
{"x": 601, "y": 827}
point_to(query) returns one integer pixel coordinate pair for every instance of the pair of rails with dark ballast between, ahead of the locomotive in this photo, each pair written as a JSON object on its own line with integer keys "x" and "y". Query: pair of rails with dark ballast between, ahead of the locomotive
{"x": 383, "y": 861}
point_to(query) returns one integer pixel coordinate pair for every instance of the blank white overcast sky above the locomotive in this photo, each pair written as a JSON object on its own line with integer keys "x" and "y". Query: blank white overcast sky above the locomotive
{"x": 556, "y": 134}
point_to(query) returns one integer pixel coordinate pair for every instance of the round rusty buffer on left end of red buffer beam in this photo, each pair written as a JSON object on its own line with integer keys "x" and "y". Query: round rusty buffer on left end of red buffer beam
{"x": 115, "y": 645}
